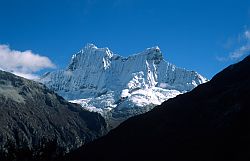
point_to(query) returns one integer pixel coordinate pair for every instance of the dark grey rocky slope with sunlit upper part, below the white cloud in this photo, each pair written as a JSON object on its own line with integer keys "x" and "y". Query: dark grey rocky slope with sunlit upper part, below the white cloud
{"x": 34, "y": 120}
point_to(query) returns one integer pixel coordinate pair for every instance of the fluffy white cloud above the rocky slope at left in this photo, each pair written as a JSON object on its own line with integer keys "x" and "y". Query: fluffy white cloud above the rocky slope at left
{"x": 23, "y": 63}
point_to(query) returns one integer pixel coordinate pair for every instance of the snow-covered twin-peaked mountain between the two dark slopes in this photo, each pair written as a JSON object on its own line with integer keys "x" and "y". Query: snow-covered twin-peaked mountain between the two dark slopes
{"x": 108, "y": 83}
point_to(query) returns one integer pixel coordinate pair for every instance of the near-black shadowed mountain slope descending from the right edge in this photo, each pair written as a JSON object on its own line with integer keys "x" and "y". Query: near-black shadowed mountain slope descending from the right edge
{"x": 210, "y": 123}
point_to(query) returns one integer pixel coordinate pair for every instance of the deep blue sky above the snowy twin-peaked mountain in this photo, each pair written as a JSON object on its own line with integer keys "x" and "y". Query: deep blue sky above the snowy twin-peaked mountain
{"x": 204, "y": 36}
